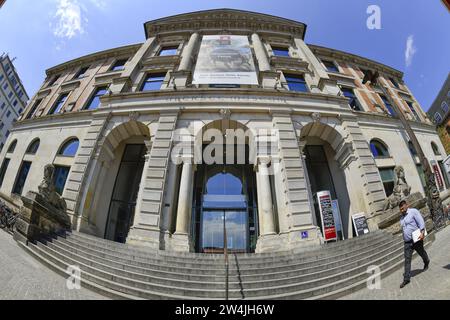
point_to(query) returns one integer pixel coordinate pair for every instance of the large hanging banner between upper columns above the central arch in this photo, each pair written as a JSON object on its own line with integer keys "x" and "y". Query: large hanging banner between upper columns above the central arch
{"x": 225, "y": 59}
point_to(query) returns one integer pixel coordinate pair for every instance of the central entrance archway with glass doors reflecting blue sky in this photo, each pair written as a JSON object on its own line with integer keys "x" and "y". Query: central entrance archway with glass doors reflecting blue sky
{"x": 225, "y": 195}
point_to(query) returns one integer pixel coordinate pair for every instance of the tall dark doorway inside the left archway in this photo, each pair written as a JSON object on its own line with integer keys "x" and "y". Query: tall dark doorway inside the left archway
{"x": 126, "y": 188}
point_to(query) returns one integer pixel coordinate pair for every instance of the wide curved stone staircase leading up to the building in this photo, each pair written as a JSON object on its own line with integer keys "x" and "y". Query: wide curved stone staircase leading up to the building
{"x": 123, "y": 271}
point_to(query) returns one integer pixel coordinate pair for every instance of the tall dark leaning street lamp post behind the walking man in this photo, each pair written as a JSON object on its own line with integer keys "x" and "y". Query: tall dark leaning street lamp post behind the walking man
{"x": 431, "y": 191}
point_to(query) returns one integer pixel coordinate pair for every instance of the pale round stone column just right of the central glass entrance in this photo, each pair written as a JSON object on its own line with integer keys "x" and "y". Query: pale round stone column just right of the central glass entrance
{"x": 266, "y": 204}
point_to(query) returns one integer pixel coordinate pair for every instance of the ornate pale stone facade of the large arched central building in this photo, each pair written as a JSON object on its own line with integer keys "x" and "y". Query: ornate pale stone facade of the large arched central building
{"x": 222, "y": 120}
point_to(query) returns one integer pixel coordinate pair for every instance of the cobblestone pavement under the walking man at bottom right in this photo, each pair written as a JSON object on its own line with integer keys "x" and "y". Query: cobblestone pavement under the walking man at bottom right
{"x": 433, "y": 284}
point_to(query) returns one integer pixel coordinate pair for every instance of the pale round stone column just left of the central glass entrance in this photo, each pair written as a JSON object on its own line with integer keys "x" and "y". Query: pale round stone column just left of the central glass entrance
{"x": 181, "y": 237}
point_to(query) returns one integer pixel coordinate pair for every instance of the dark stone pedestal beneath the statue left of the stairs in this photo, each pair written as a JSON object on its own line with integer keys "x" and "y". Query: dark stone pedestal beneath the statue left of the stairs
{"x": 39, "y": 221}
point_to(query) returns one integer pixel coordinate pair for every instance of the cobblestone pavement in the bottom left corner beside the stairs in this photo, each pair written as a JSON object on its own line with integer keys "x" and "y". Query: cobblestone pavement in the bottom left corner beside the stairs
{"x": 24, "y": 278}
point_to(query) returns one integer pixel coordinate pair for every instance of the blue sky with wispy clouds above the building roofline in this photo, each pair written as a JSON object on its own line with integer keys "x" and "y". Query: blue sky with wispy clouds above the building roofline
{"x": 45, "y": 33}
